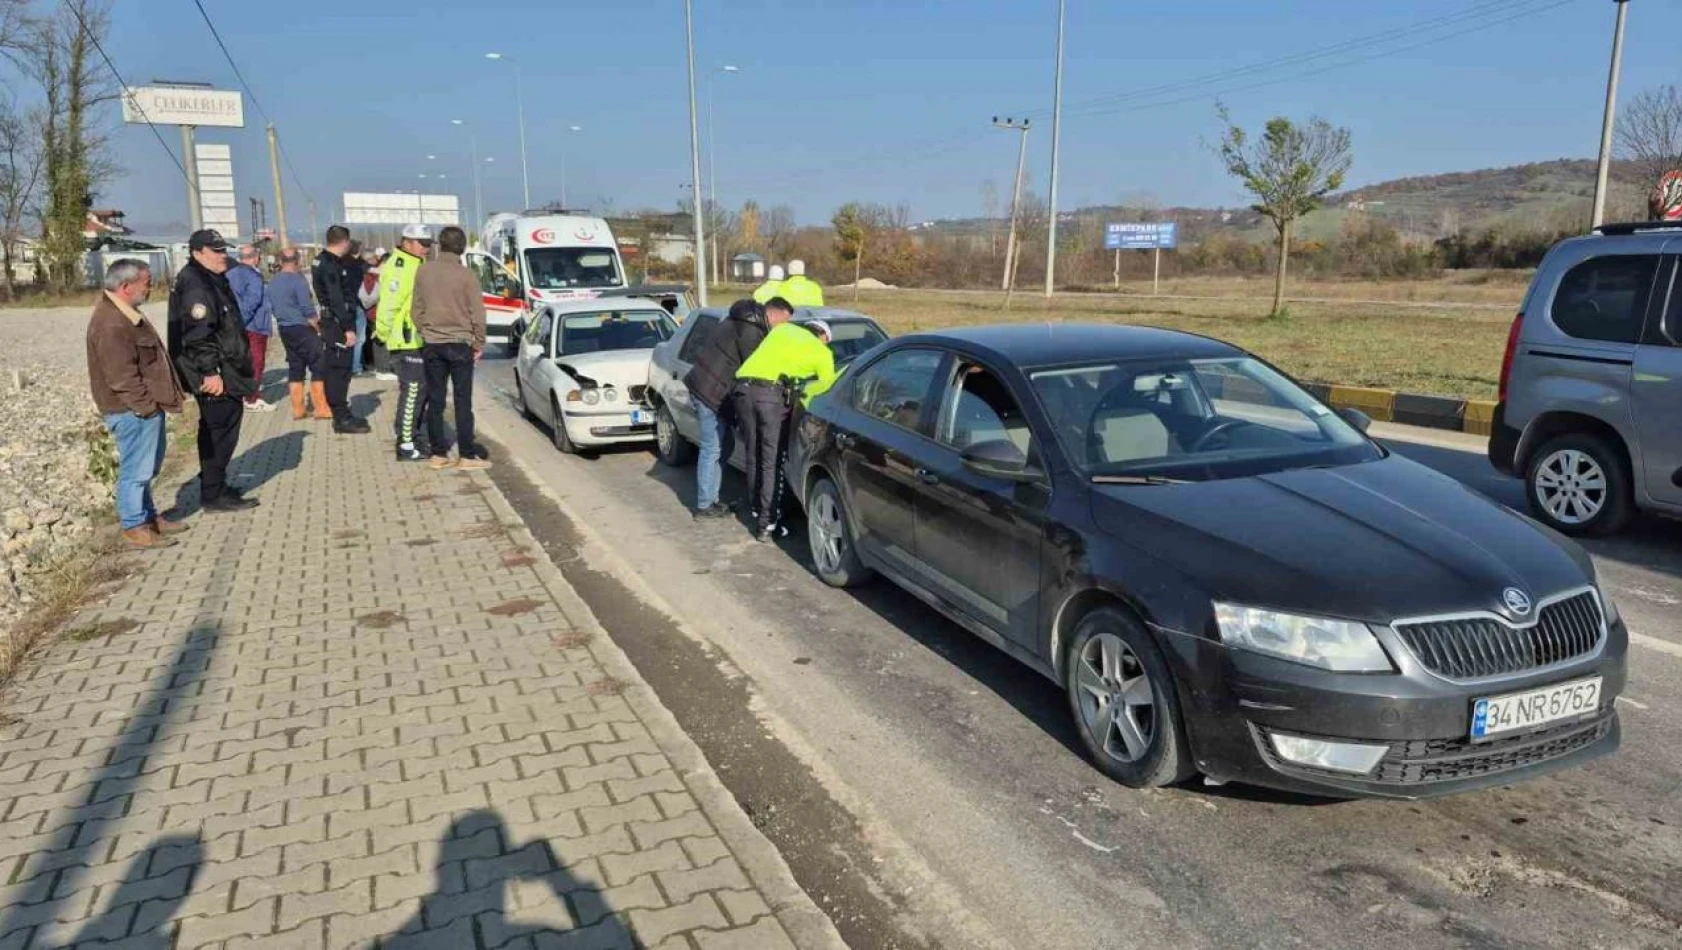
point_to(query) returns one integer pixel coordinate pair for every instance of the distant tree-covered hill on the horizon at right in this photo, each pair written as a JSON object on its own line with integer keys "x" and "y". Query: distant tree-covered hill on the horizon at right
{"x": 1542, "y": 196}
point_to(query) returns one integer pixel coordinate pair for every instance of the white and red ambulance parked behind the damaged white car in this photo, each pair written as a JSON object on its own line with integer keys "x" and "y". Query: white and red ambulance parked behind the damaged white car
{"x": 529, "y": 261}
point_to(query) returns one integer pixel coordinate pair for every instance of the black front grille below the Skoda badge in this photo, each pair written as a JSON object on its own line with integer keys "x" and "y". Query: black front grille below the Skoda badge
{"x": 1486, "y": 647}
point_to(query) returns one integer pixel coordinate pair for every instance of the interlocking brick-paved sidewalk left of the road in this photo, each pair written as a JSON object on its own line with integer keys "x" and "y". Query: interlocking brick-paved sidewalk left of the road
{"x": 366, "y": 714}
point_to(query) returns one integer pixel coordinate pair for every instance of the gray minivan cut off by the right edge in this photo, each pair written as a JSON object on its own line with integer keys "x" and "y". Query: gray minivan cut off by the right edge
{"x": 1590, "y": 409}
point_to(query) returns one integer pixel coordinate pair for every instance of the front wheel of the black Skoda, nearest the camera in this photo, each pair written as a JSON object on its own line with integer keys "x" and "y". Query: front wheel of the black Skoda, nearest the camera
{"x": 1114, "y": 662}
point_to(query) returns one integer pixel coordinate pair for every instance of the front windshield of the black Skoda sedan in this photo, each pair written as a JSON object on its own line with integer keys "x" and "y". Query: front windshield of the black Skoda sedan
{"x": 1193, "y": 420}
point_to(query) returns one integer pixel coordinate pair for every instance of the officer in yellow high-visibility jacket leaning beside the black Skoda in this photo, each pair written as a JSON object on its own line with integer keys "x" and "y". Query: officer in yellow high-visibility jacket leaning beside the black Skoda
{"x": 764, "y": 394}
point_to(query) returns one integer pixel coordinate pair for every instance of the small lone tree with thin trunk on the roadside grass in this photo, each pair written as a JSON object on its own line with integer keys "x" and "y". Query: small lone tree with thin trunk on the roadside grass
{"x": 1289, "y": 171}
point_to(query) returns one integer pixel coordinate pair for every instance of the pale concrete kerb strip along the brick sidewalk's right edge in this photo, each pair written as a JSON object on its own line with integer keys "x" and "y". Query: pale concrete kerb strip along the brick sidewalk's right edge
{"x": 807, "y": 924}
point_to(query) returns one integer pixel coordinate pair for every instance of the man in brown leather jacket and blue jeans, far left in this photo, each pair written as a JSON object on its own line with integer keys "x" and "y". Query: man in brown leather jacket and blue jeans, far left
{"x": 134, "y": 386}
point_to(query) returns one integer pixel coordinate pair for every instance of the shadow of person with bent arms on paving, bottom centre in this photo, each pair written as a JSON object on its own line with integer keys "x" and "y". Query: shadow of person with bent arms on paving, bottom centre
{"x": 470, "y": 894}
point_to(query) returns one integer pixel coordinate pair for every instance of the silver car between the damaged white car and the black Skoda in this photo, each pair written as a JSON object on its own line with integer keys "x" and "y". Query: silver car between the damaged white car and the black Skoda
{"x": 677, "y": 431}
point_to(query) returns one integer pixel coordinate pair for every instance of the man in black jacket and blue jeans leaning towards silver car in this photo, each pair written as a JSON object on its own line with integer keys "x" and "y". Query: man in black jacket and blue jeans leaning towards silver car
{"x": 711, "y": 381}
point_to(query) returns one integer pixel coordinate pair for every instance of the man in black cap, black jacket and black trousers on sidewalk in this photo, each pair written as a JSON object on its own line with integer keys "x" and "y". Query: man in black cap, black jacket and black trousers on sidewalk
{"x": 208, "y": 344}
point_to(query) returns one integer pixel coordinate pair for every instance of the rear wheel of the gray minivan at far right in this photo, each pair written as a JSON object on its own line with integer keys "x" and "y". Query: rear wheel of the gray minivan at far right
{"x": 1579, "y": 485}
